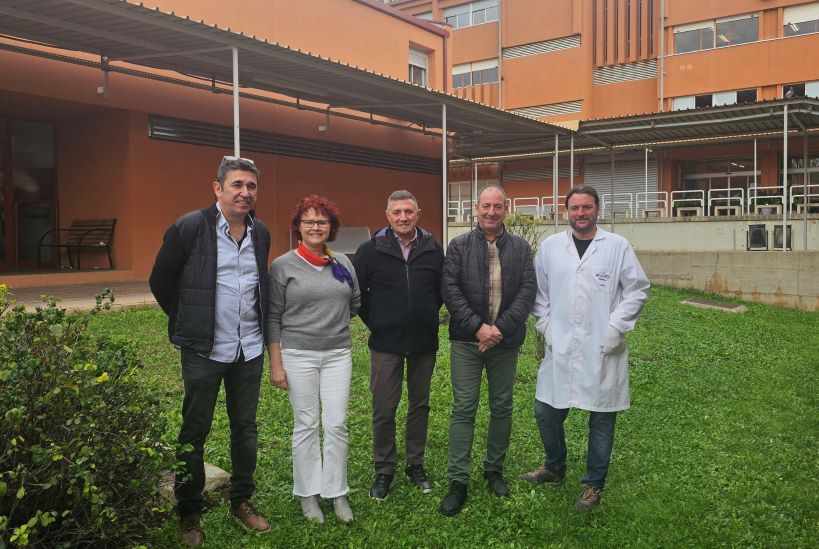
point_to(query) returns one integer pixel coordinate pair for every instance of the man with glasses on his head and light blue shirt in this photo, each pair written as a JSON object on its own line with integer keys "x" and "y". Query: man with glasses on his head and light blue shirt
{"x": 210, "y": 278}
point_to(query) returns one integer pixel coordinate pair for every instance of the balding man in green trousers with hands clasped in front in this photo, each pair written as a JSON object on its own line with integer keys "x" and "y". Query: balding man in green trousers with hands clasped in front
{"x": 489, "y": 286}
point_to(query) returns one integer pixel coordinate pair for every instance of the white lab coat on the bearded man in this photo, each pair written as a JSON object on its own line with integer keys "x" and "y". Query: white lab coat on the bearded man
{"x": 577, "y": 299}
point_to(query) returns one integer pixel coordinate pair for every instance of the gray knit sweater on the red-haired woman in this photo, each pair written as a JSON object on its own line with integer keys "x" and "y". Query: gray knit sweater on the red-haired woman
{"x": 309, "y": 308}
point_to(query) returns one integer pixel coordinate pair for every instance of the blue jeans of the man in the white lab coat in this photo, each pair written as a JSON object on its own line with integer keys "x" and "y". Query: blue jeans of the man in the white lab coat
{"x": 601, "y": 440}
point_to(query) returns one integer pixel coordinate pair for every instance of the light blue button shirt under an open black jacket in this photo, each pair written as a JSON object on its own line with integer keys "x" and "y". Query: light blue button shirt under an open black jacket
{"x": 237, "y": 295}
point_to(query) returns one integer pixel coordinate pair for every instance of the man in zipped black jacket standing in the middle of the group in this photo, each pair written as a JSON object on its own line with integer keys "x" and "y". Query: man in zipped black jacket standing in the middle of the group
{"x": 399, "y": 273}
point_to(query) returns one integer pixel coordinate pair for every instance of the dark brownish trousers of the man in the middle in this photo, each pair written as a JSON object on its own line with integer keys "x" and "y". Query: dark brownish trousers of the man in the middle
{"x": 386, "y": 379}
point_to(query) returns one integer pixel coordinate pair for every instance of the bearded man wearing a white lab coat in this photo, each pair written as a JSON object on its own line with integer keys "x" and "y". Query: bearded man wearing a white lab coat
{"x": 591, "y": 290}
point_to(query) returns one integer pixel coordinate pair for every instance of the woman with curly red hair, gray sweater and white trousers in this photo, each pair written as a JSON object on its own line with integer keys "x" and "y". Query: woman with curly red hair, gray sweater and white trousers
{"x": 313, "y": 296}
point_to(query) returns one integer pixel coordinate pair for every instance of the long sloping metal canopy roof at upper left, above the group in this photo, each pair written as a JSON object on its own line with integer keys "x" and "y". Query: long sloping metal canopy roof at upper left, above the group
{"x": 119, "y": 31}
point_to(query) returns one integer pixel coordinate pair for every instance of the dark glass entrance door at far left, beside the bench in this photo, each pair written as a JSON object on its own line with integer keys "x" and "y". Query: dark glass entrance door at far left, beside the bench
{"x": 27, "y": 191}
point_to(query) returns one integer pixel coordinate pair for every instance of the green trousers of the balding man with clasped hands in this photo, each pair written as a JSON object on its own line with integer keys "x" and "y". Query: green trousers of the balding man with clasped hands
{"x": 466, "y": 366}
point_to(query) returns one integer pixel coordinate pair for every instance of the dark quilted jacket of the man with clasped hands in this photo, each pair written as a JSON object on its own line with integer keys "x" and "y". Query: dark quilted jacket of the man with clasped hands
{"x": 466, "y": 286}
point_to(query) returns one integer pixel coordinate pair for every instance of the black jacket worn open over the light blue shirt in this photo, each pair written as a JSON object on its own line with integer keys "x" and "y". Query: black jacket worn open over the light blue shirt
{"x": 183, "y": 279}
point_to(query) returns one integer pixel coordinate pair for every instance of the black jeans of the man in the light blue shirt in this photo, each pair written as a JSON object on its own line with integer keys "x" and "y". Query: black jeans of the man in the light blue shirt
{"x": 202, "y": 378}
